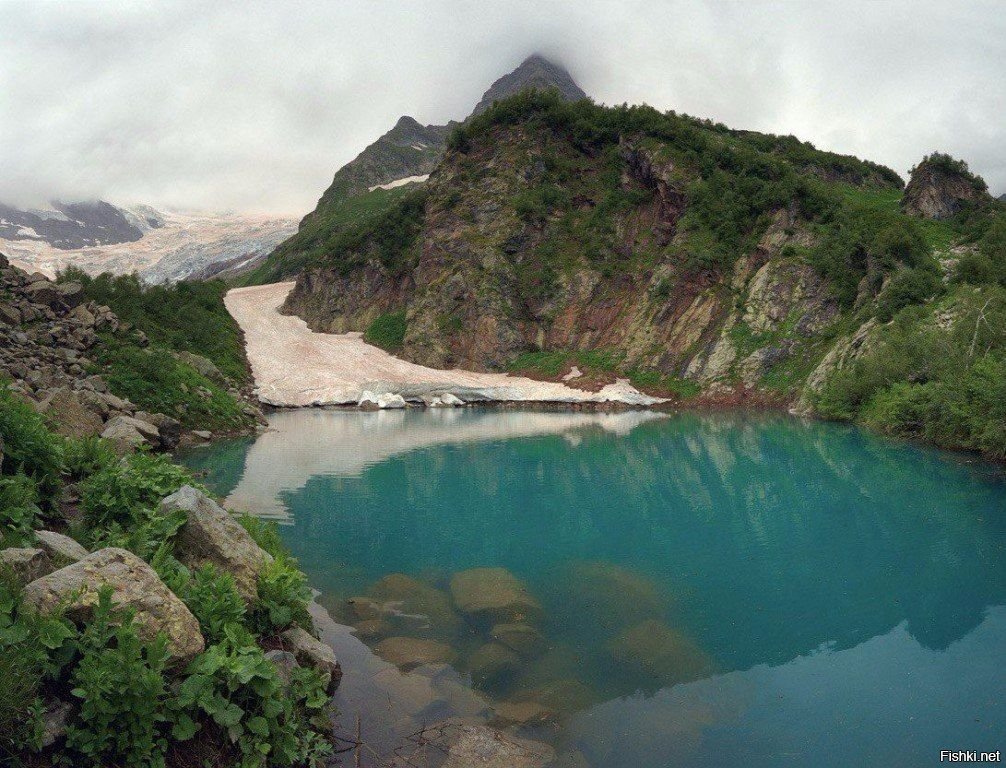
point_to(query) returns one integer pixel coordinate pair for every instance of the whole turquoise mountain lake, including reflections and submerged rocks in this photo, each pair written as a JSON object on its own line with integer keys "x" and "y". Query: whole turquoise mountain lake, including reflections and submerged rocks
{"x": 701, "y": 590}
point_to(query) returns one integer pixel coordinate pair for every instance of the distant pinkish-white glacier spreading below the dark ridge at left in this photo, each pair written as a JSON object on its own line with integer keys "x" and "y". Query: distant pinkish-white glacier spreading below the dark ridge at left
{"x": 167, "y": 247}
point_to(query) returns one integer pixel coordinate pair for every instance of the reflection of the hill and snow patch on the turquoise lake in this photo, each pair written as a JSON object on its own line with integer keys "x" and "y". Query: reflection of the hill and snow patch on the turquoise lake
{"x": 773, "y": 538}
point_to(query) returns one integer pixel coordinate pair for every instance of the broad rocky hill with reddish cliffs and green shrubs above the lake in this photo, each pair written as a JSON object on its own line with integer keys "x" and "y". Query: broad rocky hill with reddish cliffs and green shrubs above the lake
{"x": 639, "y": 242}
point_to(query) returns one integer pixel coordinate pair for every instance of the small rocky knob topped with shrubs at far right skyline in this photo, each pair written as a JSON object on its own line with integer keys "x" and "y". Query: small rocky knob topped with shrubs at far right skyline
{"x": 941, "y": 187}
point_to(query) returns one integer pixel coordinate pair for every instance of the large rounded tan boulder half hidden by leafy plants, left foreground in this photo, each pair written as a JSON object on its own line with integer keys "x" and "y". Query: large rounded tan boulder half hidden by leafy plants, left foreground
{"x": 134, "y": 585}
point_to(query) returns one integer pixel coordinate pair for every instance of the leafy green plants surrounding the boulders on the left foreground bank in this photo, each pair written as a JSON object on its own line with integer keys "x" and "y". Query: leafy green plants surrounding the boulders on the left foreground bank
{"x": 230, "y": 705}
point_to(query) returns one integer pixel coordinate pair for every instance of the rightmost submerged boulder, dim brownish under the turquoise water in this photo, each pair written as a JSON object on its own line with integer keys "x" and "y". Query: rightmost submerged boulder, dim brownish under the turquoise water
{"x": 660, "y": 652}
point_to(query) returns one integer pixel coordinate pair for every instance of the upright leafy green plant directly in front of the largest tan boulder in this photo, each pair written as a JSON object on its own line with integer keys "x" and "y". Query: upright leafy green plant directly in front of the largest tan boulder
{"x": 120, "y": 682}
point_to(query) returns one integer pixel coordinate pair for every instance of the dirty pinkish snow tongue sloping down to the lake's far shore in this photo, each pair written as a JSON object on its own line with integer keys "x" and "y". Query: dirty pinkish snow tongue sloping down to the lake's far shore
{"x": 293, "y": 366}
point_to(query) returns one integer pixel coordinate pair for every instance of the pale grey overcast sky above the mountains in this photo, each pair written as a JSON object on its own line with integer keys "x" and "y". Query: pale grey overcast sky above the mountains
{"x": 254, "y": 106}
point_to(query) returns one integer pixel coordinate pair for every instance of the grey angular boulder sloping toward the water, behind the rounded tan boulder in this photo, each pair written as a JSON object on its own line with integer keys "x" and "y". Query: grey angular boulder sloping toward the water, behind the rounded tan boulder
{"x": 212, "y": 535}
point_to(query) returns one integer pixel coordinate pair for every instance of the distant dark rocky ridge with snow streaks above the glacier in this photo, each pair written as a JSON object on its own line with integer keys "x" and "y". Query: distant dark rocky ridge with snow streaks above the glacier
{"x": 67, "y": 226}
